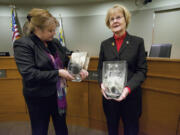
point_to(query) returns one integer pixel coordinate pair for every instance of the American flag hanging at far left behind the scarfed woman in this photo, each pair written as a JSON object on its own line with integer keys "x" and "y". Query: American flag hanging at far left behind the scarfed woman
{"x": 15, "y": 32}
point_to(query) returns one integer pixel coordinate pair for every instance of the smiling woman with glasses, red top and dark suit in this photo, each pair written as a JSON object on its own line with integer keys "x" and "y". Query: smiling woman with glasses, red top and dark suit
{"x": 129, "y": 48}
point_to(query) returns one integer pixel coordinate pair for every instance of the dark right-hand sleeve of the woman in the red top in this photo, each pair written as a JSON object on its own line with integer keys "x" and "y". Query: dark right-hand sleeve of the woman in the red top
{"x": 140, "y": 68}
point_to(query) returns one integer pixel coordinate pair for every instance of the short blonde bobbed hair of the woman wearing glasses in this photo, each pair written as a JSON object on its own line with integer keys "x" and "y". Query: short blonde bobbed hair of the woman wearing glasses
{"x": 120, "y": 8}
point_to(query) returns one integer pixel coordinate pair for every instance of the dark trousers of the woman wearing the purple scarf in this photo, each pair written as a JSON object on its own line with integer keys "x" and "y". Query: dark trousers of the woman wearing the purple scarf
{"x": 40, "y": 109}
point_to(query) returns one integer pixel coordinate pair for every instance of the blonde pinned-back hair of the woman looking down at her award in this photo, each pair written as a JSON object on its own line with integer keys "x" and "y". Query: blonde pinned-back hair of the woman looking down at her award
{"x": 39, "y": 18}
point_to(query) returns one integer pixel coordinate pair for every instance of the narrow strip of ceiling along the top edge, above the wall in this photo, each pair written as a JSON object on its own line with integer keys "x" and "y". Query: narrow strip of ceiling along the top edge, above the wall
{"x": 50, "y": 2}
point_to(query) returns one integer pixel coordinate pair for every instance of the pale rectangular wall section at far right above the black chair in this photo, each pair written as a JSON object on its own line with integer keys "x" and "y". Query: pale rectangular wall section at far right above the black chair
{"x": 166, "y": 30}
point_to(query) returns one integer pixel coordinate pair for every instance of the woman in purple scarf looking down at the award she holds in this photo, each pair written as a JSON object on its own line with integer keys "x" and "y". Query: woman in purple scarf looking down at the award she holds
{"x": 42, "y": 62}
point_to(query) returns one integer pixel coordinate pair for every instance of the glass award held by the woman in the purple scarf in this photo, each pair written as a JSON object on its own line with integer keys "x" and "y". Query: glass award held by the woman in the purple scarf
{"x": 78, "y": 61}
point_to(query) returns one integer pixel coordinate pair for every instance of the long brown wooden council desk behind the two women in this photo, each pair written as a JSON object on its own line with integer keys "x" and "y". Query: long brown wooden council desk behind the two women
{"x": 161, "y": 98}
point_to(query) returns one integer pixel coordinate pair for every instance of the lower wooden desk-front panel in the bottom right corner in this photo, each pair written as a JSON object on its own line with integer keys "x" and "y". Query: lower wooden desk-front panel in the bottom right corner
{"x": 160, "y": 113}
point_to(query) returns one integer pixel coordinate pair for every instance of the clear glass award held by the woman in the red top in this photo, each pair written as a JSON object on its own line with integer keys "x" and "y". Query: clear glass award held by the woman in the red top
{"x": 114, "y": 78}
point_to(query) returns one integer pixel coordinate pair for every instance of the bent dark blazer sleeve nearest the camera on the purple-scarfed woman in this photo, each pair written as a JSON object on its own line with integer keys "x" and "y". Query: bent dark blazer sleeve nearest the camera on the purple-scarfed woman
{"x": 25, "y": 60}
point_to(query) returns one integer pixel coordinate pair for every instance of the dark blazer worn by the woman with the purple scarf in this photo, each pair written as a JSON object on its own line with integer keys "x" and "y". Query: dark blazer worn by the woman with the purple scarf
{"x": 38, "y": 74}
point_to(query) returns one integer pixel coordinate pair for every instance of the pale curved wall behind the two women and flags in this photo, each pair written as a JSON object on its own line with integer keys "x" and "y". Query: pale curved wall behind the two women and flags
{"x": 84, "y": 26}
